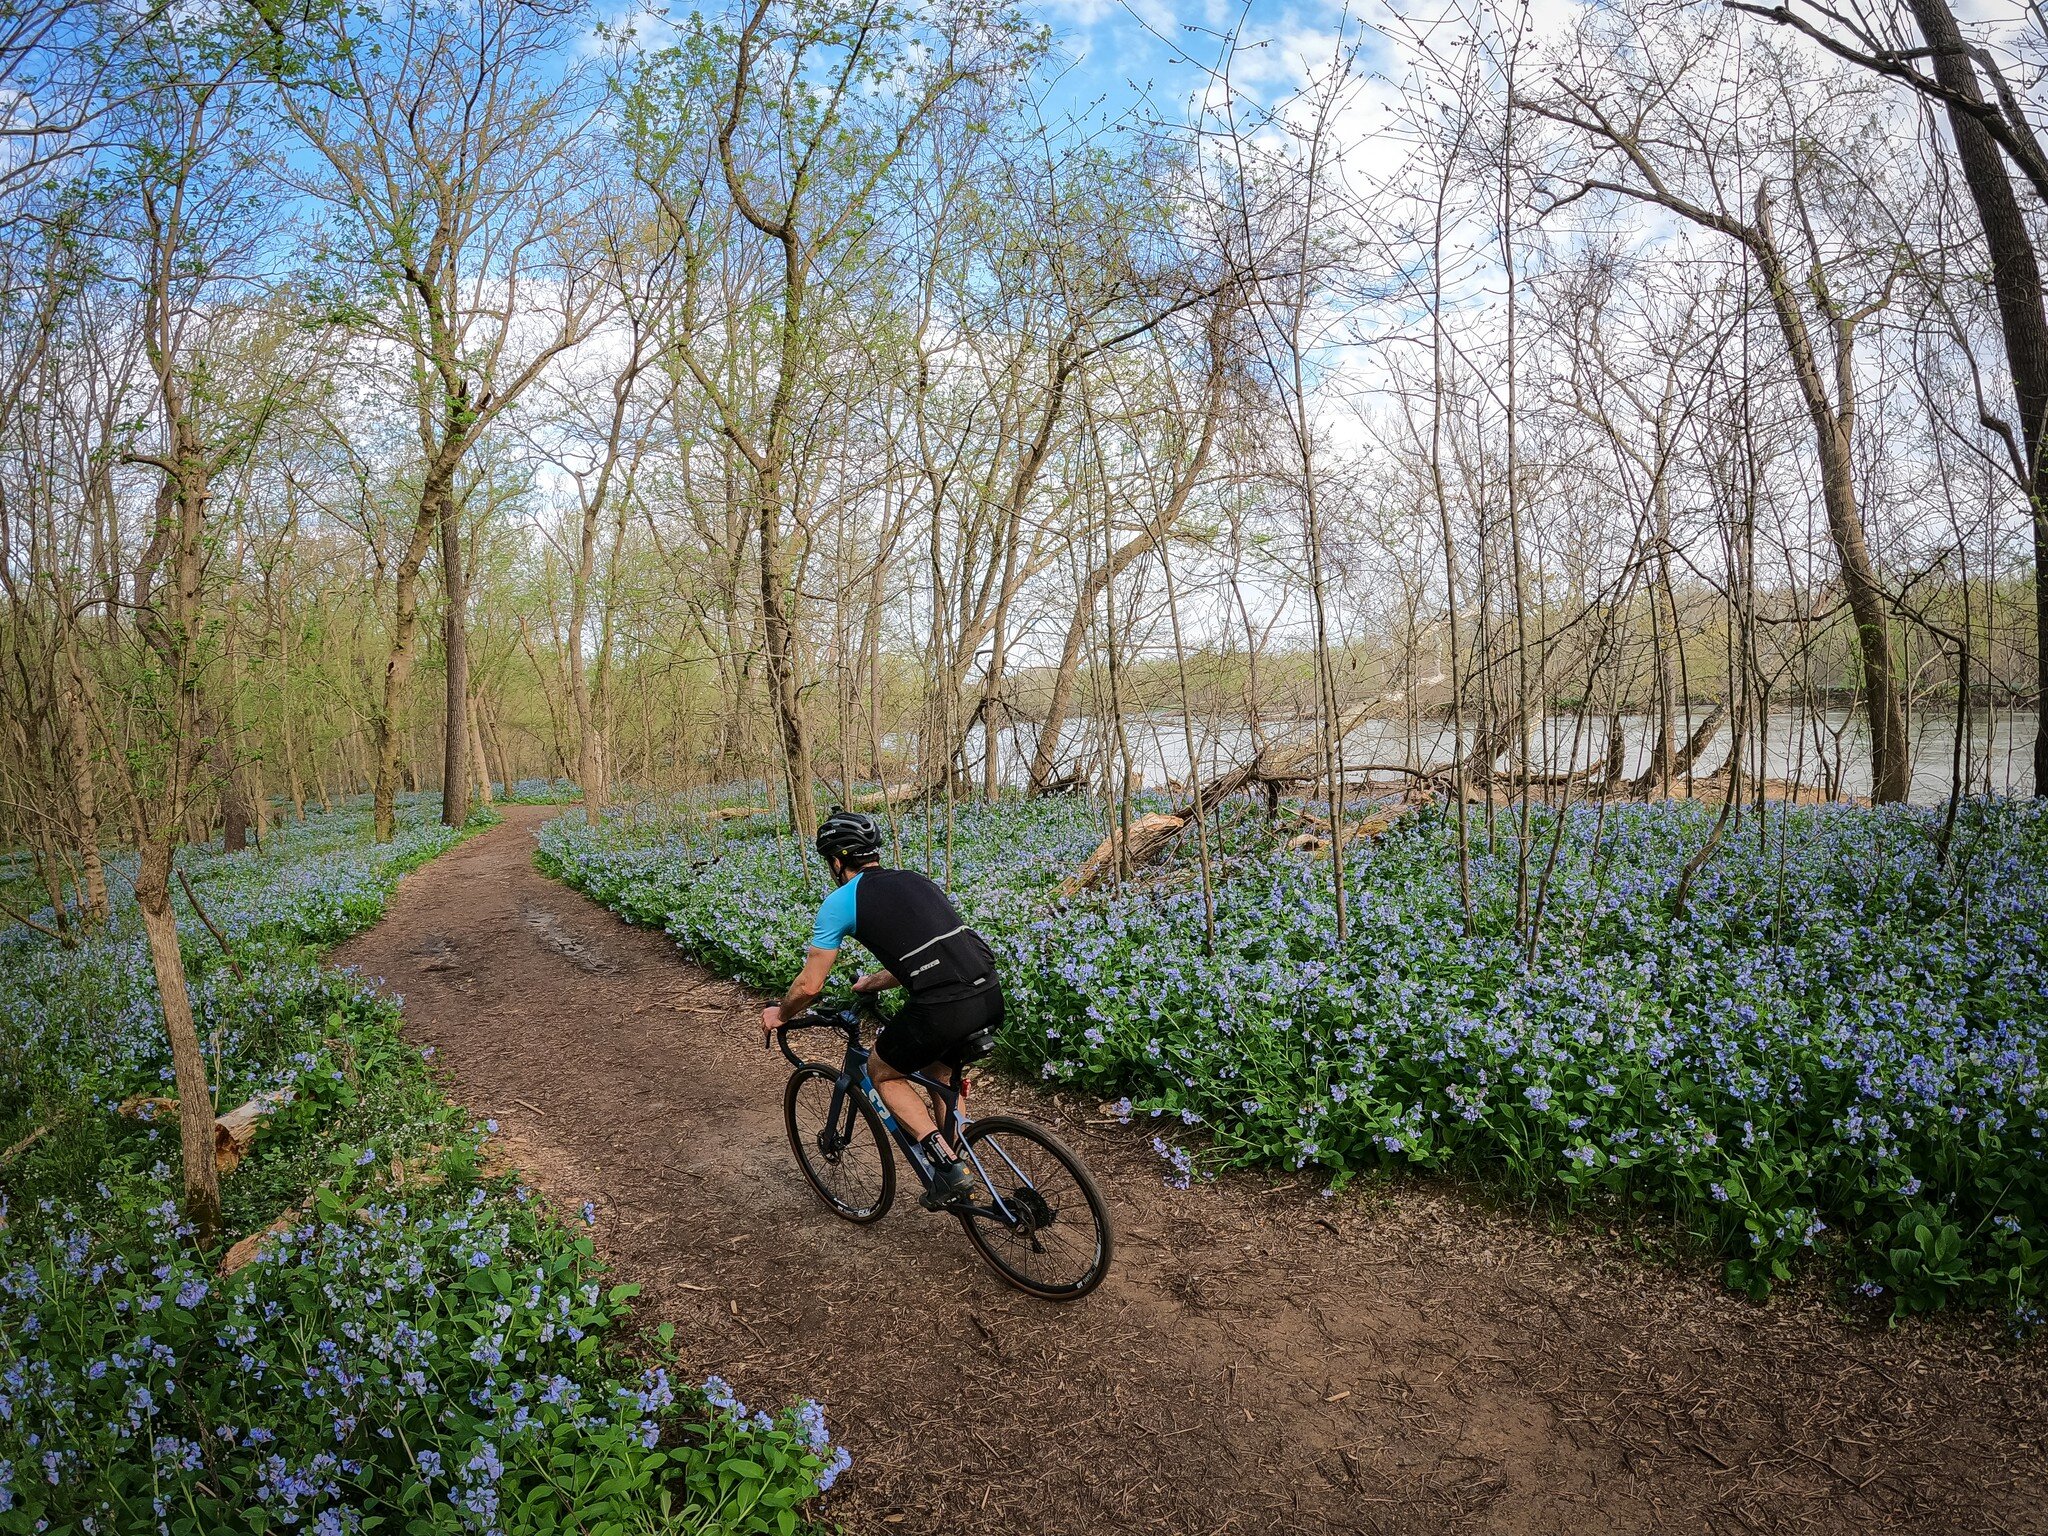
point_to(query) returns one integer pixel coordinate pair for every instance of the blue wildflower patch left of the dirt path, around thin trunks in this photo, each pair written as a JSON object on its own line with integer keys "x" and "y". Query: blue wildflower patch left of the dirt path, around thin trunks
{"x": 419, "y": 1351}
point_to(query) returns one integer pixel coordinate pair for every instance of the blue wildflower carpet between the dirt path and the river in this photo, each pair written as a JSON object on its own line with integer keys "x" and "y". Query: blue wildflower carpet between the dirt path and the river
{"x": 1836, "y": 1050}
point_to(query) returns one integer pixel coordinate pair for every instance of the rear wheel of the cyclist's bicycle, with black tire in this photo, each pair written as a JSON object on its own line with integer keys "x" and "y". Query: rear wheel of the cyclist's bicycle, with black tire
{"x": 1058, "y": 1242}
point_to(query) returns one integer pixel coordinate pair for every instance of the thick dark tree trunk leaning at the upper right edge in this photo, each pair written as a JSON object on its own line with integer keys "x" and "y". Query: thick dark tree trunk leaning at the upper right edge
{"x": 2016, "y": 282}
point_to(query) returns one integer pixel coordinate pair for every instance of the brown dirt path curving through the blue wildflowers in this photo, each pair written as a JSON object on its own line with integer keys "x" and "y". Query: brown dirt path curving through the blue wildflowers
{"x": 1263, "y": 1361}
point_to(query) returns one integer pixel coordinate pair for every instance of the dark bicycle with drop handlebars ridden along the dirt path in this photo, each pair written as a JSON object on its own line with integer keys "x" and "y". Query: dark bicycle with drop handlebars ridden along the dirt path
{"x": 1048, "y": 1232}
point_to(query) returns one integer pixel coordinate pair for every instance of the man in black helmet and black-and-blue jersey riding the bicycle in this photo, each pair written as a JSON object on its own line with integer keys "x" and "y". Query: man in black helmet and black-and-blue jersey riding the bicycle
{"x": 925, "y": 947}
